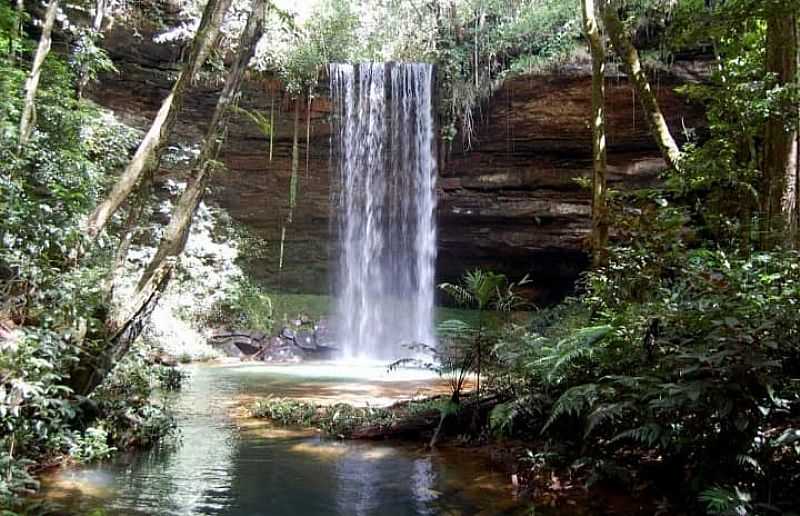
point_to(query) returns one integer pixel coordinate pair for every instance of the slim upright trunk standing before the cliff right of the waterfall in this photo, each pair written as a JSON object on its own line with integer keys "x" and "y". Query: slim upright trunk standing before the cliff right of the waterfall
{"x": 599, "y": 204}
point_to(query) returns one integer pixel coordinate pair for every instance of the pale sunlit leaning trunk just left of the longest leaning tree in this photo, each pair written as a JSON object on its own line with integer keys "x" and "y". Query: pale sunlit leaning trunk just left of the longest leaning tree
{"x": 148, "y": 154}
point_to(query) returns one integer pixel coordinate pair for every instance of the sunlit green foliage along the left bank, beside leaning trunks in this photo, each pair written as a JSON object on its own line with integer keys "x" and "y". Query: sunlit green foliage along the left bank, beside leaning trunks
{"x": 52, "y": 285}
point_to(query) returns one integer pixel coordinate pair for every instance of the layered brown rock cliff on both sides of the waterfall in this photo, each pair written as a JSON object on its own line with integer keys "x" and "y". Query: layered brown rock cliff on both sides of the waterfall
{"x": 509, "y": 203}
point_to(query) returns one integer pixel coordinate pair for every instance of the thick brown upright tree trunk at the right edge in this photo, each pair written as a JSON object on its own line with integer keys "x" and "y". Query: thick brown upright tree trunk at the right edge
{"x": 778, "y": 189}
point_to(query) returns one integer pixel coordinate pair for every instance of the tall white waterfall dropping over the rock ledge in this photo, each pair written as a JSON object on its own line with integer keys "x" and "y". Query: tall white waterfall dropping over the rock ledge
{"x": 383, "y": 152}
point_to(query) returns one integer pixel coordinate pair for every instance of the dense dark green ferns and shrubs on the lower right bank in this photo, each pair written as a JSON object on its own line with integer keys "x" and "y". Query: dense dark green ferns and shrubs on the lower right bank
{"x": 683, "y": 351}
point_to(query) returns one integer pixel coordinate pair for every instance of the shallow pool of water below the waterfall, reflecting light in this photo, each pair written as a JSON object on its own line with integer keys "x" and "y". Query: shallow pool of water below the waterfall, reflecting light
{"x": 227, "y": 465}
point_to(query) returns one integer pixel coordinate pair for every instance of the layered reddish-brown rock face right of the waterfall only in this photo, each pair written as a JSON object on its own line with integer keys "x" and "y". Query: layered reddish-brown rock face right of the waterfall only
{"x": 511, "y": 202}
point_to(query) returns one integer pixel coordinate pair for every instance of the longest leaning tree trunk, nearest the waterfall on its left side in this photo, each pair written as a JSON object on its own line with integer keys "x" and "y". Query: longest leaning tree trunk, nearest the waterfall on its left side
{"x": 154, "y": 280}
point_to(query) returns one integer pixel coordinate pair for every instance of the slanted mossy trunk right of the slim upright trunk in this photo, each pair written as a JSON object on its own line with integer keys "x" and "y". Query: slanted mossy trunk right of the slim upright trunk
{"x": 629, "y": 56}
